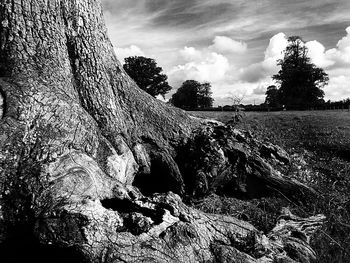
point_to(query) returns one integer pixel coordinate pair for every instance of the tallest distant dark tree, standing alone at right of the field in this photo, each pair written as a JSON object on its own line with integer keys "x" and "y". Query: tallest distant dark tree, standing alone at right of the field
{"x": 301, "y": 81}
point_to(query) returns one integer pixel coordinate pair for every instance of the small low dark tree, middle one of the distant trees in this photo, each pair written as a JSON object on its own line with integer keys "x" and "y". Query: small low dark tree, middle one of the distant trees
{"x": 193, "y": 95}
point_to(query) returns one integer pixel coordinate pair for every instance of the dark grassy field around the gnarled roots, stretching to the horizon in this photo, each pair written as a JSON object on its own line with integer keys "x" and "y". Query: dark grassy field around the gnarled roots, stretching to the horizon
{"x": 319, "y": 141}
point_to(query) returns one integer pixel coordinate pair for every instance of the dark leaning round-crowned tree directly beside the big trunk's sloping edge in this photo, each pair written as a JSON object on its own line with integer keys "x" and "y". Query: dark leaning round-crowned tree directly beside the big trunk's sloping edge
{"x": 147, "y": 75}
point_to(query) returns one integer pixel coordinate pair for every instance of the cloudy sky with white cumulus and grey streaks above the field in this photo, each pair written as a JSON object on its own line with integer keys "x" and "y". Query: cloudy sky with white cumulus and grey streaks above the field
{"x": 233, "y": 44}
